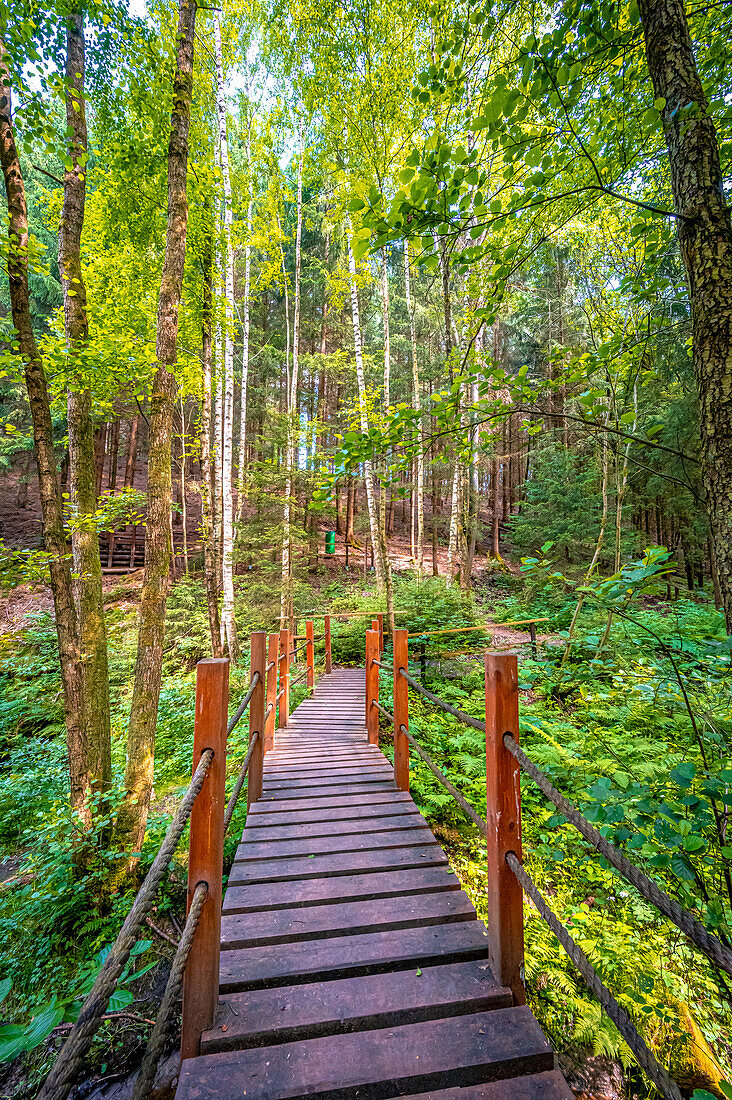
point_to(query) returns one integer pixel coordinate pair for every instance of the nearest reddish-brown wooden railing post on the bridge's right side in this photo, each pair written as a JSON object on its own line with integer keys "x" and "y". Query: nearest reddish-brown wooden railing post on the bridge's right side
{"x": 506, "y": 903}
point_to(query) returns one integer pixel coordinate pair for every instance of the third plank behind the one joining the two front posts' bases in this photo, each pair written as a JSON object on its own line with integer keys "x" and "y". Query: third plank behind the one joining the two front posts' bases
{"x": 257, "y": 898}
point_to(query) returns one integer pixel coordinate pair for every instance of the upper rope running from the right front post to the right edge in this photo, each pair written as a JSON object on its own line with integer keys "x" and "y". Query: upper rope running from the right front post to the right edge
{"x": 690, "y": 926}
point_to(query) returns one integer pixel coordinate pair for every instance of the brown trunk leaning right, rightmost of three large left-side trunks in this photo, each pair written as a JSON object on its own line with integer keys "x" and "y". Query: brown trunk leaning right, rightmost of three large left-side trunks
{"x": 139, "y": 773}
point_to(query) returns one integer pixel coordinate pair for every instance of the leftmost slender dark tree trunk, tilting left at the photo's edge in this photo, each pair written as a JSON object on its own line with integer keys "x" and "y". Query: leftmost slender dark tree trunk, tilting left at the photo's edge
{"x": 51, "y": 502}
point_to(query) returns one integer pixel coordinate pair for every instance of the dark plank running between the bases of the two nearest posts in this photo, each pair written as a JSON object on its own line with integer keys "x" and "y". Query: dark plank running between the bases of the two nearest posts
{"x": 260, "y": 1018}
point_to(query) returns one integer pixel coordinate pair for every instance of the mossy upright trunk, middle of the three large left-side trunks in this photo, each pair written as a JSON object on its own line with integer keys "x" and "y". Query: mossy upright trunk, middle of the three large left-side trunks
{"x": 85, "y": 541}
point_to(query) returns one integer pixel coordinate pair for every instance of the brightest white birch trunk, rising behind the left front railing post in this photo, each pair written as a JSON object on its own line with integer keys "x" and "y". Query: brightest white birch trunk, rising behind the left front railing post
{"x": 228, "y": 622}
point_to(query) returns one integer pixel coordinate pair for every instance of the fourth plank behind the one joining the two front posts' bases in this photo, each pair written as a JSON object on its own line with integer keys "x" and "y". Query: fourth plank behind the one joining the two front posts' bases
{"x": 336, "y": 863}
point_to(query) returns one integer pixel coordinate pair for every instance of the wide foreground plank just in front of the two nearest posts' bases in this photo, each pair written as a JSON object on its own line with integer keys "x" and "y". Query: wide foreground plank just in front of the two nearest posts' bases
{"x": 373, "y": 1065}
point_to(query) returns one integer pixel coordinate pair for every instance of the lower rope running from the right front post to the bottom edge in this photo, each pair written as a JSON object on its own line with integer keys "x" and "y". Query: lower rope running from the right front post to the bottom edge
{"x": 616, "y": 1011}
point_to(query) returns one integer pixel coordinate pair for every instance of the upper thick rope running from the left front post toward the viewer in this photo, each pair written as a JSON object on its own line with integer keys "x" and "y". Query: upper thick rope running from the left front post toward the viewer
{"x": 77, "y": 1048}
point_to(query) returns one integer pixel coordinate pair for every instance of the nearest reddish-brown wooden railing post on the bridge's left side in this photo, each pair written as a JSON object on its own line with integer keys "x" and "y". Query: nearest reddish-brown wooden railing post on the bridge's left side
{"x": 201, "y": 988}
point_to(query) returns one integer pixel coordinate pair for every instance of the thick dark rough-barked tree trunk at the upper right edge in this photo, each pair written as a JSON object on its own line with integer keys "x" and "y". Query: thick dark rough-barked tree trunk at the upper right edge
{"x": 705, "y": 232}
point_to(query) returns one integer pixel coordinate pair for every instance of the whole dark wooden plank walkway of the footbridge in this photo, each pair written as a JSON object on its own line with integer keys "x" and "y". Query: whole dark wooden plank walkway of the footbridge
{"x": 353, "y": 966}
